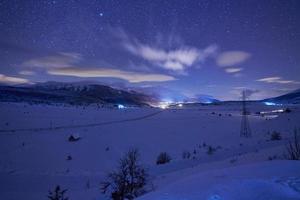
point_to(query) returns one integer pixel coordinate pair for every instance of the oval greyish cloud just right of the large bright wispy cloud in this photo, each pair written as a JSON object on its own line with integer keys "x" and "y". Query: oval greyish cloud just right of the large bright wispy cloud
{"x": 229, "y": 58}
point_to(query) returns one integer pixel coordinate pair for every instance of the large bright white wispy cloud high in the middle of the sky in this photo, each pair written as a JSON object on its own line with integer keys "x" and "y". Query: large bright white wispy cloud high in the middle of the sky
{"x": 176, "y": 59}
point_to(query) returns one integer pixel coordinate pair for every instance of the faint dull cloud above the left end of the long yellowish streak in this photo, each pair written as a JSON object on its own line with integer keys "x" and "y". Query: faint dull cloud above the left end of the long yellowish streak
{"x": 60, "y": 60}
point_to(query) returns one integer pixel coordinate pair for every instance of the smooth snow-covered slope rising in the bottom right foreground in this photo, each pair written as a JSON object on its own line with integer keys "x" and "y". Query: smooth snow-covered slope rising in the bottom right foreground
{"x": 276, "y": 180}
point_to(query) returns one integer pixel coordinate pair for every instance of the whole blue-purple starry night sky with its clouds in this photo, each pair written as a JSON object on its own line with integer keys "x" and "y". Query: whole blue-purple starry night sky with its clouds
{"x": 179, "y": 48}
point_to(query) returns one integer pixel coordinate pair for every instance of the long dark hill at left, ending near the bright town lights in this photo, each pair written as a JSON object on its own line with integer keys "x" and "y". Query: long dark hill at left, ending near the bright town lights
{"x": 72, "y": 93}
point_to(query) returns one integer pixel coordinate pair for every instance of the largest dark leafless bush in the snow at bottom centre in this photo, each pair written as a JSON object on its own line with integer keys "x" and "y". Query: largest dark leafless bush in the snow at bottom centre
{"x": 129, "y": 180}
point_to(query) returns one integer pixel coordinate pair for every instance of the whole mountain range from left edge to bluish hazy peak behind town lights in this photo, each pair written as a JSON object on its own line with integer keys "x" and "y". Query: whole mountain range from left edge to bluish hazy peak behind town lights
{"x": 78, "y": 93}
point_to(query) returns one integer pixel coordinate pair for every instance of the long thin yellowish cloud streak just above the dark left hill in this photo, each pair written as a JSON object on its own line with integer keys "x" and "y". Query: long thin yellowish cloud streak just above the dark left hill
{"x": 133, "y": 77}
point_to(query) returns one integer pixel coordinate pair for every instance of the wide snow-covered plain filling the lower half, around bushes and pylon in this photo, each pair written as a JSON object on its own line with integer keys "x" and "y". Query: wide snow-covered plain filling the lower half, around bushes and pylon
{"x": 34, "y": 151}
